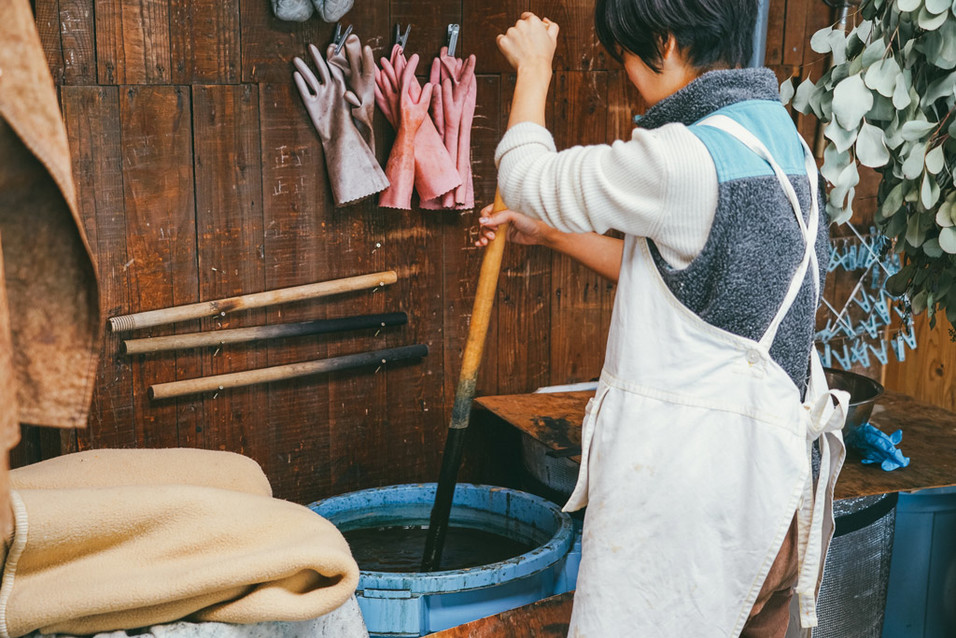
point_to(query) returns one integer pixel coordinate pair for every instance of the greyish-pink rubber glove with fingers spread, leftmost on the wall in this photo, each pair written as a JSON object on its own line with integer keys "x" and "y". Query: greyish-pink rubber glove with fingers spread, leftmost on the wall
{"x": 353, "y": 171}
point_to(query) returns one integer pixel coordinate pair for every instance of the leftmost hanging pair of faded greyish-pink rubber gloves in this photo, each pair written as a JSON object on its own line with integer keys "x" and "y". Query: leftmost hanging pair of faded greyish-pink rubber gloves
{"x": 341, "y": 103}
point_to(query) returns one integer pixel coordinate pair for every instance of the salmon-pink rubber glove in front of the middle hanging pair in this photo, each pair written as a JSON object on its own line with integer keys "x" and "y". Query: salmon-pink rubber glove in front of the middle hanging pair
{"x": 413, "y": 111}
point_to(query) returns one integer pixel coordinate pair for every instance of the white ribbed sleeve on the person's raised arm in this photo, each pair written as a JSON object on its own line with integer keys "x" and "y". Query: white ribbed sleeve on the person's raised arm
{"x": 637, "y": 187}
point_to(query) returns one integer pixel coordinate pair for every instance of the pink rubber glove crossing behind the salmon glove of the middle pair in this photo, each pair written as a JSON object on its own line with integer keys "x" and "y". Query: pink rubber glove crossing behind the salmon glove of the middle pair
{"x": 435, "y": 172}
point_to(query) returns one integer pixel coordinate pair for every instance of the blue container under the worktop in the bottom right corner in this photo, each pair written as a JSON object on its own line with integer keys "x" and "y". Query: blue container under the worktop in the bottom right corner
{"x": 921, "y": 598}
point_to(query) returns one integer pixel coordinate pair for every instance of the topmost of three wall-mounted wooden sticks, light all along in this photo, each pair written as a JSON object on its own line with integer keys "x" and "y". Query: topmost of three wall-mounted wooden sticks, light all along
{"x": 221, "y": 307}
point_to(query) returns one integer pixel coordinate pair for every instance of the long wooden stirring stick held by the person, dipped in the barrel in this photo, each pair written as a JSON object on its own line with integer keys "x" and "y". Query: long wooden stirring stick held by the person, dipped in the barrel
{"x": 465, "y": 394}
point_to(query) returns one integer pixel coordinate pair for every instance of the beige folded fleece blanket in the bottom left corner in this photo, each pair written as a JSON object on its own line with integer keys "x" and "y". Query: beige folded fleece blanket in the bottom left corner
{"x": 141, "y": 537}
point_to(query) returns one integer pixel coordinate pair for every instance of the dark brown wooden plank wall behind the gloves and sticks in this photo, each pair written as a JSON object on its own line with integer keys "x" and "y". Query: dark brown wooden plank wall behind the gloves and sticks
{"x": 200, "y": 176}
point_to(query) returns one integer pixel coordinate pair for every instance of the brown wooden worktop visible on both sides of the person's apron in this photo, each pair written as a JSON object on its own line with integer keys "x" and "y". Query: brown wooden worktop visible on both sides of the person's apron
{"x": 929, "y": 437}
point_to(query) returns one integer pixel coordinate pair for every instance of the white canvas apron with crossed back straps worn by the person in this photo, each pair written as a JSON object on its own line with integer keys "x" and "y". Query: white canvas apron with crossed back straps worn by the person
{"x": 696, "y": 455}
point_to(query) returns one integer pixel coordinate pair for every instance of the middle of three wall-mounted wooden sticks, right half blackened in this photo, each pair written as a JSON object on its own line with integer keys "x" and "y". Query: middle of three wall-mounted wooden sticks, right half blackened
{"x": 255, "y": 333}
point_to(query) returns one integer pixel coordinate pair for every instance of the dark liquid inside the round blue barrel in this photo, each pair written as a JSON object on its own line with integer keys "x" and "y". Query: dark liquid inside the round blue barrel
{"x": 399, "y": 549}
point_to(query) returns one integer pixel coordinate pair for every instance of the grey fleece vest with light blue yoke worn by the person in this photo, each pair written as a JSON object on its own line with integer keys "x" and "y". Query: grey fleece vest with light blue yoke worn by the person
{"x": 740, "y": 278}
